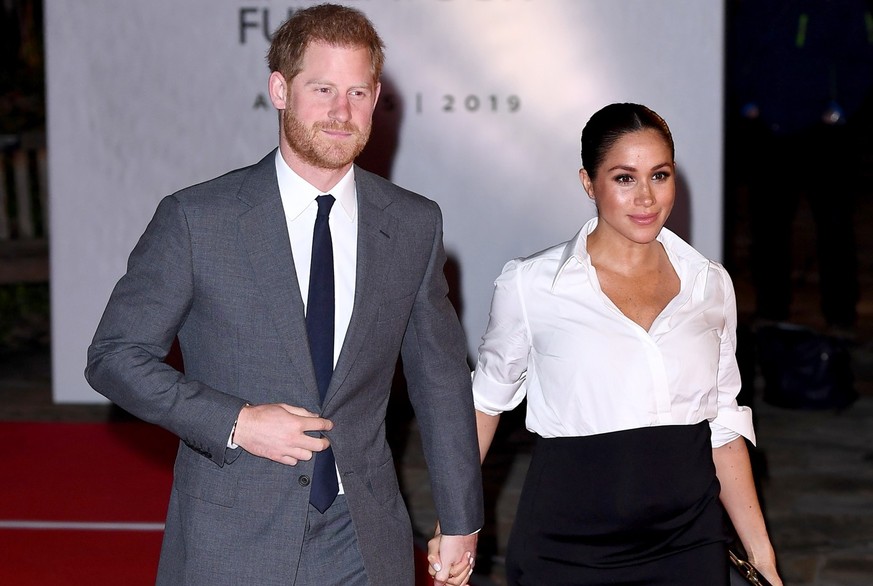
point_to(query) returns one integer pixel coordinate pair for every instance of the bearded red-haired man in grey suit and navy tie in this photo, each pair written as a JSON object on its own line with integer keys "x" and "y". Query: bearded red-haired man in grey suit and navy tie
{"x": 232, "y": 267}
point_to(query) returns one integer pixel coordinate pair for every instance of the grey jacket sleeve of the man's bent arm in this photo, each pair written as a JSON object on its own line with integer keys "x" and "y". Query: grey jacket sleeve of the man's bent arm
{"x": 145, "y": 311}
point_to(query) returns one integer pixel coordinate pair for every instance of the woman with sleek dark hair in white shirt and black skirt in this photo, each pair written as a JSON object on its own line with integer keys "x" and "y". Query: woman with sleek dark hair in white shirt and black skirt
{"x": 623, "y": 342}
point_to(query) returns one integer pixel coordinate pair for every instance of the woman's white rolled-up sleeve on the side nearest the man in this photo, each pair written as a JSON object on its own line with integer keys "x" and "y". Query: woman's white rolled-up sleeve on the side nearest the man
{"x": 501, "y": 370}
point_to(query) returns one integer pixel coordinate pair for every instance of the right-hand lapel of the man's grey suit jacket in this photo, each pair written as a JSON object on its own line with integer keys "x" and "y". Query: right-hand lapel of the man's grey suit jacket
{"x": 375, "y": 228}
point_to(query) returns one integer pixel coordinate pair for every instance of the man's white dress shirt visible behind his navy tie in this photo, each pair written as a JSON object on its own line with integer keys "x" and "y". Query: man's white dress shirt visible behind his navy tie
{"x": 298, "y": 201}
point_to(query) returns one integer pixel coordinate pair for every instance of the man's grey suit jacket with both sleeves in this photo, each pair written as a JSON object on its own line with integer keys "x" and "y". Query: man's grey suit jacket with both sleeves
{"x": 215, "y": 268}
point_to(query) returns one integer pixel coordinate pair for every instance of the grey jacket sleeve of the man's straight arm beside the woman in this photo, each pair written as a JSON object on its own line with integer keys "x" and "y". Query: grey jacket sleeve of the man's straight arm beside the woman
{"x": 438, "y": 379}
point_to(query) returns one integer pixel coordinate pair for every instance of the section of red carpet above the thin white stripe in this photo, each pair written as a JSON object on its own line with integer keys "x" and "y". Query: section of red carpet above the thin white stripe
{"x": 117, "y": 472}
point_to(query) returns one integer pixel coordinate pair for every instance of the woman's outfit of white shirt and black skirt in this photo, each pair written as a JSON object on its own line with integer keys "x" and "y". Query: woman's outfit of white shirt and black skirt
{"x": 622, "y": 486}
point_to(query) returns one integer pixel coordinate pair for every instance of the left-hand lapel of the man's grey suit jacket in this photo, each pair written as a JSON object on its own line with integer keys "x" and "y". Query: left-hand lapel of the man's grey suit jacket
{"x": 263, "y": 232}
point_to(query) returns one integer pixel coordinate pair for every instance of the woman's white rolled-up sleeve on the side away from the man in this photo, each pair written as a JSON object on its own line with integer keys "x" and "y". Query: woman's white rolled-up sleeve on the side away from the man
{"x": 732, "y": 420}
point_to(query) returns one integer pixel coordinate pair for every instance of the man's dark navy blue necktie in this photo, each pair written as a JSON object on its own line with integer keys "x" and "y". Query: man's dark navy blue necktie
{"x": 320, "y": 318}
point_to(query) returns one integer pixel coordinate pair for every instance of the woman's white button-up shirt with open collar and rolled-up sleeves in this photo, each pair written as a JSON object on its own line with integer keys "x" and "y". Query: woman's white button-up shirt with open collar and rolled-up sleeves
{"x": 586, "y": 368}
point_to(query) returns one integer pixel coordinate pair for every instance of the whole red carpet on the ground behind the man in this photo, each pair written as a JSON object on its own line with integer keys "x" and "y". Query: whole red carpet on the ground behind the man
{"x": 56, "y": 473}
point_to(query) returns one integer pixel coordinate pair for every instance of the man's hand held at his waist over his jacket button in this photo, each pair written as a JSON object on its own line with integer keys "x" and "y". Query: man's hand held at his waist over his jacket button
{"x": 278, "y": 431}
